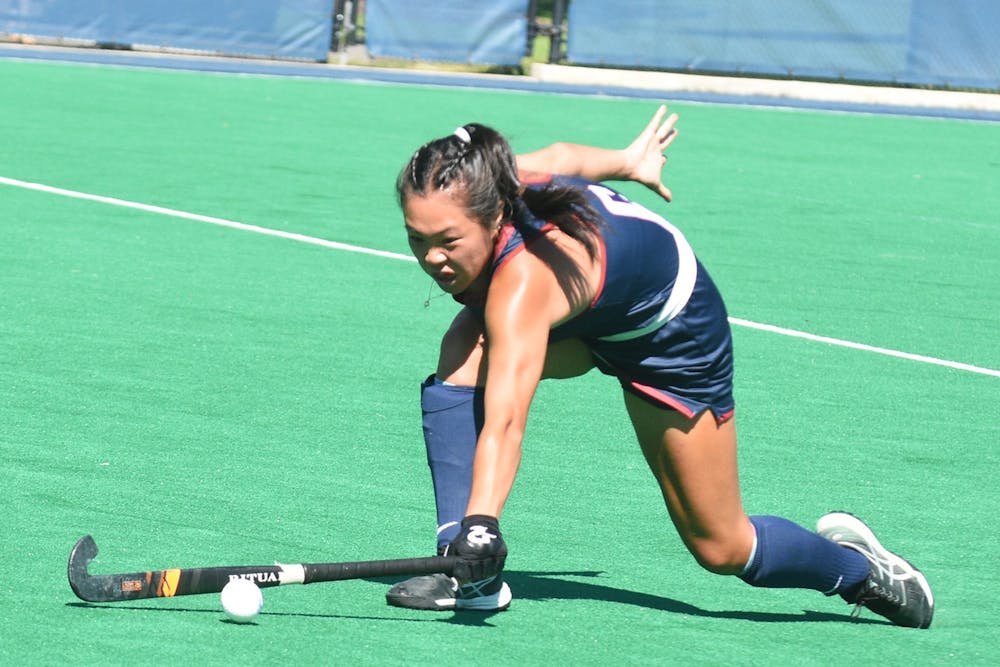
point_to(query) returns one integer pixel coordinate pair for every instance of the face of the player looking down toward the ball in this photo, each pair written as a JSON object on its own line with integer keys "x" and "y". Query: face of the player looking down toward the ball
{"x": 452, "y": 248}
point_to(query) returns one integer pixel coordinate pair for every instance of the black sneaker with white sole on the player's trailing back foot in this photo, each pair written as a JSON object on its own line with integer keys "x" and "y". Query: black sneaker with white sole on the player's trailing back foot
{"x": 894, "y": 588}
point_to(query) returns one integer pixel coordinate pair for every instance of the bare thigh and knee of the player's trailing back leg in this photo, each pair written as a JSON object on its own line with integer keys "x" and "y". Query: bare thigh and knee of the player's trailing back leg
{"x": 694, "y": 462}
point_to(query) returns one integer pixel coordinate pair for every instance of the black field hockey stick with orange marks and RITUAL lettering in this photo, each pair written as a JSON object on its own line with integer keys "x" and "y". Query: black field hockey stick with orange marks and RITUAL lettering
{"x": 199, "y": 580}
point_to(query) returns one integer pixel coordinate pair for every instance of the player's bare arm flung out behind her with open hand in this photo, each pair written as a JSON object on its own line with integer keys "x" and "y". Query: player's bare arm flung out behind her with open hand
{"x": 641, "y": 161}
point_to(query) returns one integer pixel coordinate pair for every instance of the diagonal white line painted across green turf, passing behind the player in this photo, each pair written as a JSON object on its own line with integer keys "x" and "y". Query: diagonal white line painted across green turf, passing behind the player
{"x": 302, "y": 238}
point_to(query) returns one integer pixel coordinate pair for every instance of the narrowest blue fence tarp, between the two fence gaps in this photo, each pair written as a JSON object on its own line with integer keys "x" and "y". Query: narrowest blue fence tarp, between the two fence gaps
{"x": 467, "y": 31}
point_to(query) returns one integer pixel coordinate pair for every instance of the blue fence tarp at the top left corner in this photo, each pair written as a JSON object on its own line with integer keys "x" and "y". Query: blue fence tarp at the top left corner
{"x": 296, "y": 29}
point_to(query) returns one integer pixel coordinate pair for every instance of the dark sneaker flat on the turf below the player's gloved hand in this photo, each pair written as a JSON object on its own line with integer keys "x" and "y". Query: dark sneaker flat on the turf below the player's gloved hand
{"x": 439, "y": 592}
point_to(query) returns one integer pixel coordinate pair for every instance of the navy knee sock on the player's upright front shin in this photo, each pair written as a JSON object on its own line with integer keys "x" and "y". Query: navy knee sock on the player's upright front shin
{"x": 452, "y": 418}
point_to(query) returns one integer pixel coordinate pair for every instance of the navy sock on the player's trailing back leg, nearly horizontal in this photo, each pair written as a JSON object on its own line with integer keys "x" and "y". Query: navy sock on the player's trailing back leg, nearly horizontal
{"x": 789, "y": 556}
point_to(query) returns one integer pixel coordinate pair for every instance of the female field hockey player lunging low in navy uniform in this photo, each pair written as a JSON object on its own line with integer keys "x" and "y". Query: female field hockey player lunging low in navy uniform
{"x": 561, "y": 274}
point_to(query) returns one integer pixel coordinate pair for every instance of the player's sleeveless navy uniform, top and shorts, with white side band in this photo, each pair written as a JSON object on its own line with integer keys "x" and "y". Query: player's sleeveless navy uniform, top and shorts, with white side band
{"x": 657, "y": 322}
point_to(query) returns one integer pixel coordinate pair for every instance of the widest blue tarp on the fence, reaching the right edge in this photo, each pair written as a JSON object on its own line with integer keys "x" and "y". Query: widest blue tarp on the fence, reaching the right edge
{"x": 933, "y": 42}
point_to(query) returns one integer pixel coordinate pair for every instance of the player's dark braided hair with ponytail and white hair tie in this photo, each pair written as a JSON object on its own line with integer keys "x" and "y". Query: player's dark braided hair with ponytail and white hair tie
{"x": 478, "y": 163}
